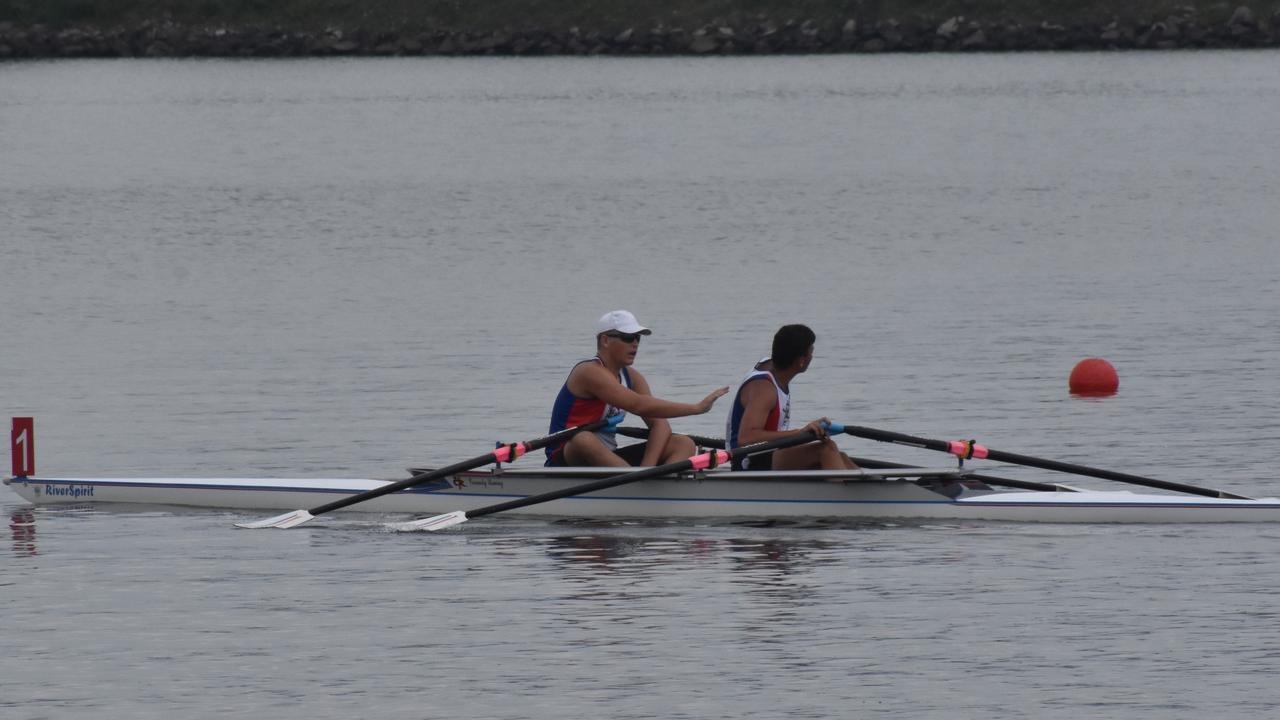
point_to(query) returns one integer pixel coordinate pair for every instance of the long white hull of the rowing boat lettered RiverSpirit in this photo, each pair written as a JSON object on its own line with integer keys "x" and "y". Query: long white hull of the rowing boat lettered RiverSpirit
{"x": 712, "y": 495}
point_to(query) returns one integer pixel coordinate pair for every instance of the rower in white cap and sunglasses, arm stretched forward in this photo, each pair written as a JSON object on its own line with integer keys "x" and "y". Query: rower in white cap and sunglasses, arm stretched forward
{"x": 607, "y": 385}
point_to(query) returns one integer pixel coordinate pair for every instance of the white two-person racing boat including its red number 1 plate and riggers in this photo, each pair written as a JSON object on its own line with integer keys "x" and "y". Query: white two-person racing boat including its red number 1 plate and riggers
{"x": 945, "y": 494}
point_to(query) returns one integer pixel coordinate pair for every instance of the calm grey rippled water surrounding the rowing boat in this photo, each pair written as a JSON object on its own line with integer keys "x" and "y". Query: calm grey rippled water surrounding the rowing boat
{"x": 310, "y": 268}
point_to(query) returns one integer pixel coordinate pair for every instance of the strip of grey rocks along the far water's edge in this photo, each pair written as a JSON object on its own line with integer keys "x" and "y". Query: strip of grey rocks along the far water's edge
{"x": 760, "y": 37}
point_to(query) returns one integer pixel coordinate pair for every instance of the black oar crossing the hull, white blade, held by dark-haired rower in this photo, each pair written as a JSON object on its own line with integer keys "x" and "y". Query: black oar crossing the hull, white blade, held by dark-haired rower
{"x": 694, "y": 463}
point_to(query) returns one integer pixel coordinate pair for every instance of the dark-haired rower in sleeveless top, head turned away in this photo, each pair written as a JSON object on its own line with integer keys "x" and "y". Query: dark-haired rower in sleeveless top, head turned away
{"x": 762, "y": 411}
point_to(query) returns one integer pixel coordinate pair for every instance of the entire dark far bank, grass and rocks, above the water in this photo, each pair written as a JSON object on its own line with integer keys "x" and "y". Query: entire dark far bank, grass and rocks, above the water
{"x": 181, "y": 30}
